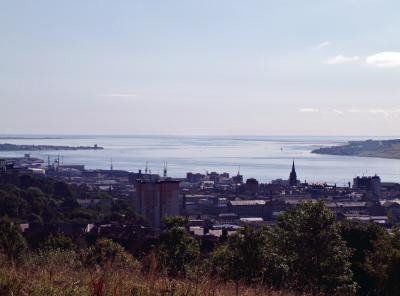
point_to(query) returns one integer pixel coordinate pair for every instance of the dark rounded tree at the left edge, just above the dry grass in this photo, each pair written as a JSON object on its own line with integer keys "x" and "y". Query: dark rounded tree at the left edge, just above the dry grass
{"x": 12, "y": 243}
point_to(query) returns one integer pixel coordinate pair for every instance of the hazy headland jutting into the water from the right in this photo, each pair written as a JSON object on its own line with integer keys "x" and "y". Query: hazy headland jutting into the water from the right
{"x": 368, "y": 148}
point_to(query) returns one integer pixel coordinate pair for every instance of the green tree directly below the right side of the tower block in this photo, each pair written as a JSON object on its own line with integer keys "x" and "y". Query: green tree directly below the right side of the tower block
{"x": 176, "y": 248}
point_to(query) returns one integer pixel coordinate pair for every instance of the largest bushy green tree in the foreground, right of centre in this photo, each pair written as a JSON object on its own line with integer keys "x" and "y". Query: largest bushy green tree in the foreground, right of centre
{"x": 317, "y": 257}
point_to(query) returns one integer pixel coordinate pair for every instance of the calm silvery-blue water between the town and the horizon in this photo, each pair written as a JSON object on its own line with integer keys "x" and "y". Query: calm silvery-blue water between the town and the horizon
{"x": 264, "y": 158}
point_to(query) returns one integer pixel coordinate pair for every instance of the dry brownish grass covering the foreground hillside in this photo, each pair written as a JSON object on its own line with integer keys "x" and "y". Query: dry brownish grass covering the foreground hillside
{"x": 61, "y": 273}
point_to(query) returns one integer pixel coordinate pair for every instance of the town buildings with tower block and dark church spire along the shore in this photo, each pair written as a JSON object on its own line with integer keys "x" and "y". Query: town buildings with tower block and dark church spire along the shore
{"x": 216, "y": 202}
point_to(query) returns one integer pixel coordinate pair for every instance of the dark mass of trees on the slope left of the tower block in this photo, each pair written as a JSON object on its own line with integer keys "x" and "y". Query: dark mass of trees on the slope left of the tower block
{"x": 48, "y": 201}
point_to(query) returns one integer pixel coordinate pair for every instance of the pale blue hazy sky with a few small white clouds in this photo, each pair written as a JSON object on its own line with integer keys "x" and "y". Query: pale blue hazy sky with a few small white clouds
{"x": 205, "y": 67}
